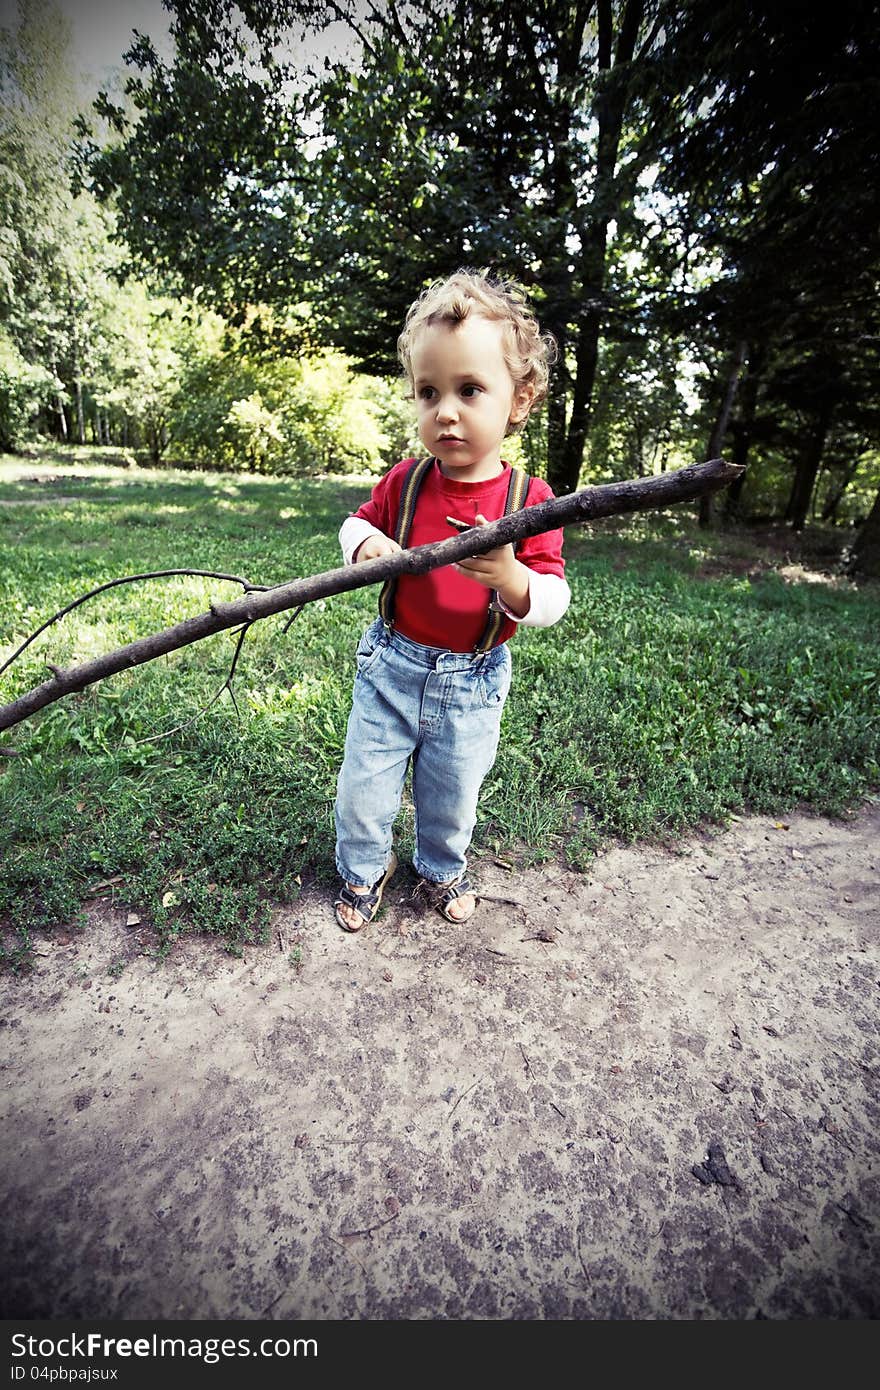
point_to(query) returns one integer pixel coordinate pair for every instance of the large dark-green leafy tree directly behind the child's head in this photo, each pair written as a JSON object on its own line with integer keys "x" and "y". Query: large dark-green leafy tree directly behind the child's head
{"x": 475, "y": 133}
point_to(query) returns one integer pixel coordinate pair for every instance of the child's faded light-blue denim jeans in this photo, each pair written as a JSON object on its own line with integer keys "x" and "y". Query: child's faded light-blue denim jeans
{"x": 443, "y": 711}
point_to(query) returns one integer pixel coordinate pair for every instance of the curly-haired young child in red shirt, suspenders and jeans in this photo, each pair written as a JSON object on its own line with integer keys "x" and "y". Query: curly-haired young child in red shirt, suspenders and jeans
{"x": 433, "y": 672}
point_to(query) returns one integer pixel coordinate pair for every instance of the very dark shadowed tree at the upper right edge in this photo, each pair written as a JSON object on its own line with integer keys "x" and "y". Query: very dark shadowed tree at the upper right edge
{"x": 778, "y": 176}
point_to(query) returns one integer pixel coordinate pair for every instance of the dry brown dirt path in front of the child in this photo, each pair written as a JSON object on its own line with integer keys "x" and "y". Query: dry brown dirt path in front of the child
{"x": 668, "y": 1113}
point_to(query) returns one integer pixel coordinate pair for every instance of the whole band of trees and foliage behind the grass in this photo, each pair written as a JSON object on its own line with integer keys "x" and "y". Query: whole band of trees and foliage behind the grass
{"x": 687, "y": 191}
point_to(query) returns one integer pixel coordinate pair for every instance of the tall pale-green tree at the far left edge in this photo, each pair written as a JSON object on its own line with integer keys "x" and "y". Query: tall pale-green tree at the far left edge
{"x": 59, "y": 273}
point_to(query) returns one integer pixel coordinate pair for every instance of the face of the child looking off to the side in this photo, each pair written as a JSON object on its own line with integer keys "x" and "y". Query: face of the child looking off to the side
{"x": 466, "y": 397}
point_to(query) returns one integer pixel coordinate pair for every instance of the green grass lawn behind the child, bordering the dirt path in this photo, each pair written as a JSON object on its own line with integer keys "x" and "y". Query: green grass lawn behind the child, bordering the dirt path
{"x": 664, "y": 700}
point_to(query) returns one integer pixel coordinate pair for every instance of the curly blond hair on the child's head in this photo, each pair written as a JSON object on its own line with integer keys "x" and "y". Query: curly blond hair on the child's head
{"x": 529, "y": 354}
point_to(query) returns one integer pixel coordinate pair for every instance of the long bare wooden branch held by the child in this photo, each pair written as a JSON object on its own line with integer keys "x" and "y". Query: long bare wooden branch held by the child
{"x": 590, "y": 505}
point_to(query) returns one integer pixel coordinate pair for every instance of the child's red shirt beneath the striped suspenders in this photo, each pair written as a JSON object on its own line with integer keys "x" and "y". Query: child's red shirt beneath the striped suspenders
{"x": 444, "y": 608}
